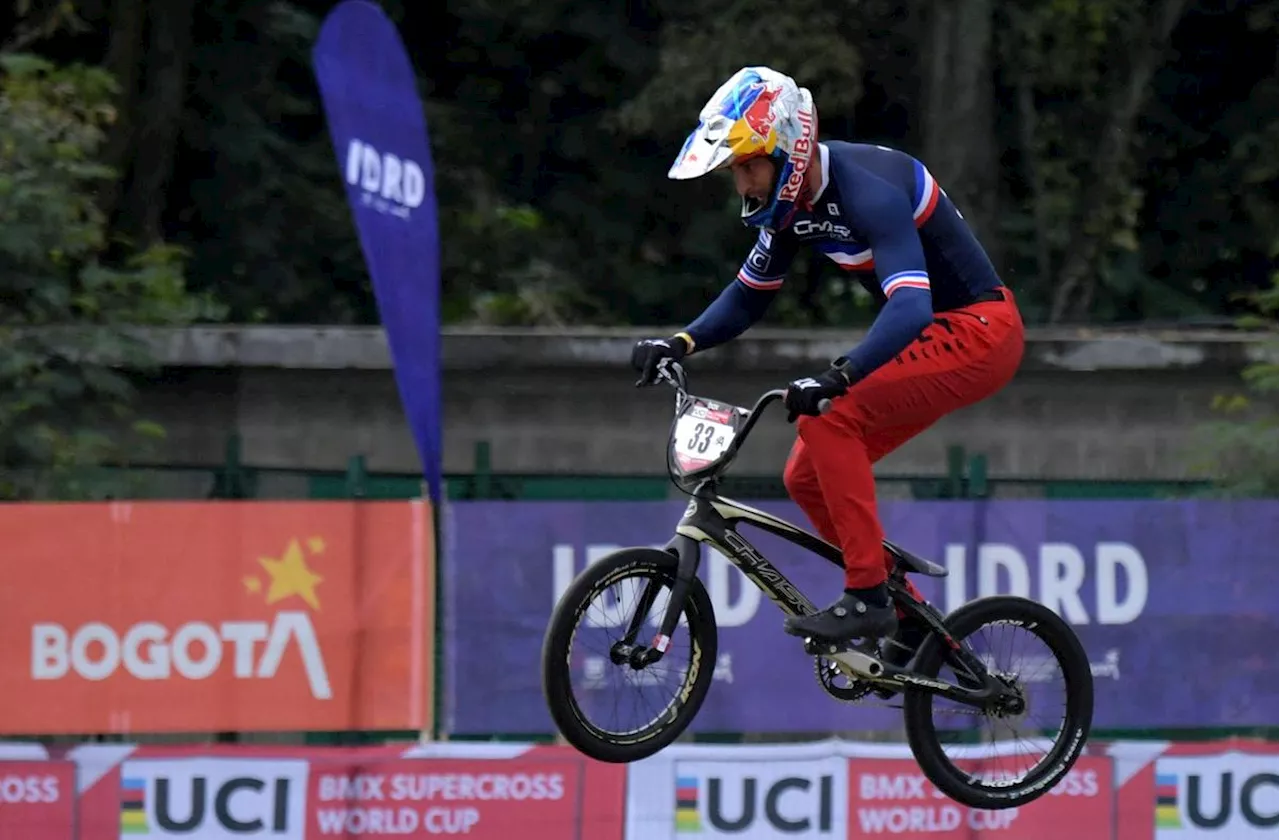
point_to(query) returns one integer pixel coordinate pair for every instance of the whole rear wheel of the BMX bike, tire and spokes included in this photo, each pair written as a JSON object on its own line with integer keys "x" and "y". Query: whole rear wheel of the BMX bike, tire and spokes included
{"x": 1044, "y": 731}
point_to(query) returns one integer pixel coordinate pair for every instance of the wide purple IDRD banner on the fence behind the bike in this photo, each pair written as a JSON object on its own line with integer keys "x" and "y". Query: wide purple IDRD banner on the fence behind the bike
{"x": 1176, "y": 604}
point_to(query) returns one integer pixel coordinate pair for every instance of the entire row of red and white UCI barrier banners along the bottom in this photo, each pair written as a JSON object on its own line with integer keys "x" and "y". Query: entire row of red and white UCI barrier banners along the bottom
{"x": 1130, "y": 791}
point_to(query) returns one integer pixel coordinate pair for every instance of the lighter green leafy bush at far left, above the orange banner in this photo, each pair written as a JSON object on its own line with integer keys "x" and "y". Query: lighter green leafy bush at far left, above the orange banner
{"x": 65, "y": 404}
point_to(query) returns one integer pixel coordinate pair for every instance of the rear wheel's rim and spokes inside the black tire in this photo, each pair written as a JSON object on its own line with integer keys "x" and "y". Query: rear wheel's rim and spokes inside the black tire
{"x": 1016, "y": 747}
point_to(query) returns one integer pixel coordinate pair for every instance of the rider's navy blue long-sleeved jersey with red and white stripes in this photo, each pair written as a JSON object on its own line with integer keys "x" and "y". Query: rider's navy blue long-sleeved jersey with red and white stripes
{"x": 880, "y": 214}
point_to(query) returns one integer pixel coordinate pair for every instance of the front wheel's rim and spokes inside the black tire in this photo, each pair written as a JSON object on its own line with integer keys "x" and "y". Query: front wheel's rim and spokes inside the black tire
{"x": 616, "y": 702}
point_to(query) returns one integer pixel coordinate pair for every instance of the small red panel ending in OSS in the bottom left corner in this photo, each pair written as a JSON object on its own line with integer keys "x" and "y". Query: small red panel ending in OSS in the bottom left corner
{"x": 38, "y": 800}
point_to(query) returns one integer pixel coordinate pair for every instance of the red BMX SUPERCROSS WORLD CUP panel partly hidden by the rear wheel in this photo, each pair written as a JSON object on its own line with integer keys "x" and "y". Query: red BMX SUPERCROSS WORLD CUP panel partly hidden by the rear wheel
{"x": 890, "y": 797}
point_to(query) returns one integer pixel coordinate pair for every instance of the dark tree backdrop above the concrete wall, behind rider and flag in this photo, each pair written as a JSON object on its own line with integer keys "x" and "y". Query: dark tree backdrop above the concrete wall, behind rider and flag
{"x": 1112, "y": 154}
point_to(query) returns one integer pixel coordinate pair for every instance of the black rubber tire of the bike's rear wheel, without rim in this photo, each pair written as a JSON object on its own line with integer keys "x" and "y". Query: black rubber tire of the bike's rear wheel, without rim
{"x": 1067, "y": 649}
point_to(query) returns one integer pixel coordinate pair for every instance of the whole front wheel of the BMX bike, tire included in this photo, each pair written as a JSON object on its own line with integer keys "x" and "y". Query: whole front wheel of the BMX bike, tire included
{"x": 589, "y": 658}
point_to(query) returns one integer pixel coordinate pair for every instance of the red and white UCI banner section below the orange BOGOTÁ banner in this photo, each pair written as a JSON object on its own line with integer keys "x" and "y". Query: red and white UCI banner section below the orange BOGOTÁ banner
{"x": 225, "y": 792}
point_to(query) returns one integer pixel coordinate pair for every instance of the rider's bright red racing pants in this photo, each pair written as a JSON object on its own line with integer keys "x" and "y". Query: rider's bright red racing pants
{"x": 963, "y": 358}
